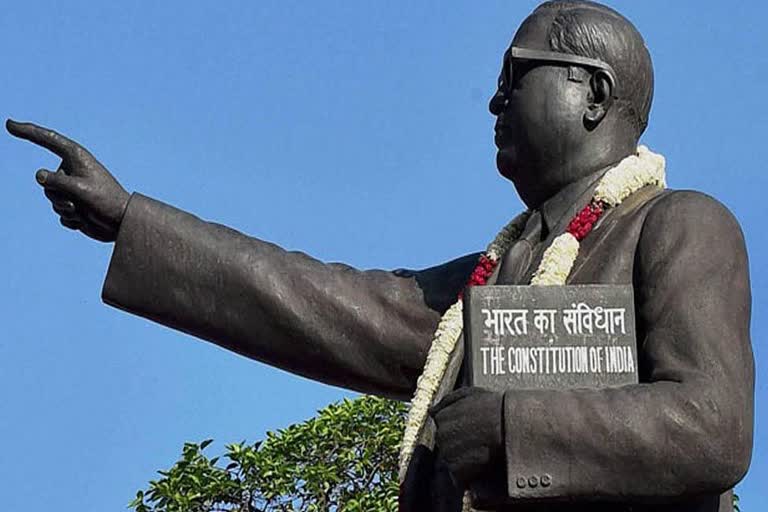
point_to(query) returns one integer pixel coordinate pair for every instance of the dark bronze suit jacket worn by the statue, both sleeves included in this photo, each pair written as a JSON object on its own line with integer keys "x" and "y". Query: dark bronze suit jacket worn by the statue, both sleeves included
{"x": 678, "y": 441}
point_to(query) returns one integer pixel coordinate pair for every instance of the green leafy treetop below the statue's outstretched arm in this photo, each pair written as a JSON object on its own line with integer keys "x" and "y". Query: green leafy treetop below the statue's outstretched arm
{"x": 343, "y": 459}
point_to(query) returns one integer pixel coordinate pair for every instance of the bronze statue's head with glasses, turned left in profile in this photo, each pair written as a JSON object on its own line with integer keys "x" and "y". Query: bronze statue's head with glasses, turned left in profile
{"x": 573, "y": 96}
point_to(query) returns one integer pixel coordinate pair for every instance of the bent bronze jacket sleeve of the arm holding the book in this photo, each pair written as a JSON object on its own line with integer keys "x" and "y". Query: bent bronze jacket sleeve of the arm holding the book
{"x": 686, "y": 429}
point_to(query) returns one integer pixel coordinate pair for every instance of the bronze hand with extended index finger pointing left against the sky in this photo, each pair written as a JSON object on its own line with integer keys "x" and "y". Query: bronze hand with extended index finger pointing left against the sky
{"x": 82, "y": 191}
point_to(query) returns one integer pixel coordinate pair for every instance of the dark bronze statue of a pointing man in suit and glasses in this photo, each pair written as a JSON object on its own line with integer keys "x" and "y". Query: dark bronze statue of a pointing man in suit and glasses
{"x": 573, "y": 99}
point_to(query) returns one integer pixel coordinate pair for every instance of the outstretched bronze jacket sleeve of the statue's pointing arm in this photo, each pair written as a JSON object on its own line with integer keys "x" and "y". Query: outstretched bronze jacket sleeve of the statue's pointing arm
{"x": 364, "y": 330}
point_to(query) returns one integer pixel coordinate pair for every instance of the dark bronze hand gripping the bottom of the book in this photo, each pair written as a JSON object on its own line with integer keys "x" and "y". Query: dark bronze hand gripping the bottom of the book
{"x": 470, "y": 433}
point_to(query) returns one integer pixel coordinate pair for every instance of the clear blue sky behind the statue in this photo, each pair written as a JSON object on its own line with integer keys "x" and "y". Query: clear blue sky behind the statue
{"x": 354, "y": 131}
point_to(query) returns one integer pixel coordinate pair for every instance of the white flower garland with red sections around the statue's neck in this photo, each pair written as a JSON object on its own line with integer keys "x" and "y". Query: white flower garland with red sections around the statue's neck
{"x": 628, "y": 176}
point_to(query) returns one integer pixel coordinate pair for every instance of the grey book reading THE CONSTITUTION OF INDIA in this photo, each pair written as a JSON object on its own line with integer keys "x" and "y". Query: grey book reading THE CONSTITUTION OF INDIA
{"x": 551, "y": 337}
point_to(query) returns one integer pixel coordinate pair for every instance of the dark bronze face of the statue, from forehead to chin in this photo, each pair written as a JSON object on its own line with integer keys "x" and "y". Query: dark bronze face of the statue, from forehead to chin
{"x": 539, "y": 108}
